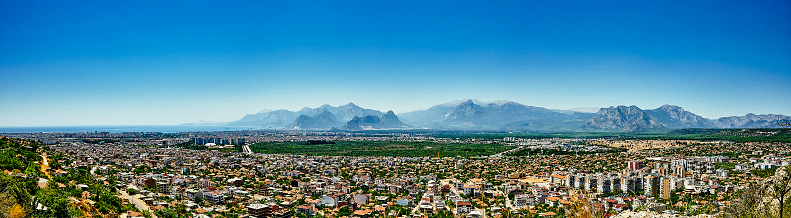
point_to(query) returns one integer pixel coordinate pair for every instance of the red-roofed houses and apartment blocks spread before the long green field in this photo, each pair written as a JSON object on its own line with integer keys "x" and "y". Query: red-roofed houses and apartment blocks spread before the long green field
{"x": 211, "y": 182}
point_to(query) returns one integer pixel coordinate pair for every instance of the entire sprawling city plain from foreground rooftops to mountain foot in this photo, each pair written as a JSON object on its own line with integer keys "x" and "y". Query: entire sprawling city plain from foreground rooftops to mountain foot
{"x": 233, "y": 174}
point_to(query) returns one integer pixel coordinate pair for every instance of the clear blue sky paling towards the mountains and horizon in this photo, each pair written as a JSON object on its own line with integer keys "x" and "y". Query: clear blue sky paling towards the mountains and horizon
{"x": 170, "y": 62}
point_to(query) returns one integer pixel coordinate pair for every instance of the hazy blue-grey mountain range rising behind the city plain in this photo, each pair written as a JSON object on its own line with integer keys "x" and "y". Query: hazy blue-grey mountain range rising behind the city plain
{"x": 498, "y": 116}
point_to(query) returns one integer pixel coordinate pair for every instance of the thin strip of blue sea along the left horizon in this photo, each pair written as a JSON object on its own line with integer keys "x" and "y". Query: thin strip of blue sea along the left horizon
{"x": 121, "y": 129}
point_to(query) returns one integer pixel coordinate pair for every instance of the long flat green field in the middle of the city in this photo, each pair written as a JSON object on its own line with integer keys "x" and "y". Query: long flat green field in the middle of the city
{"x": 376, "y": 148}
